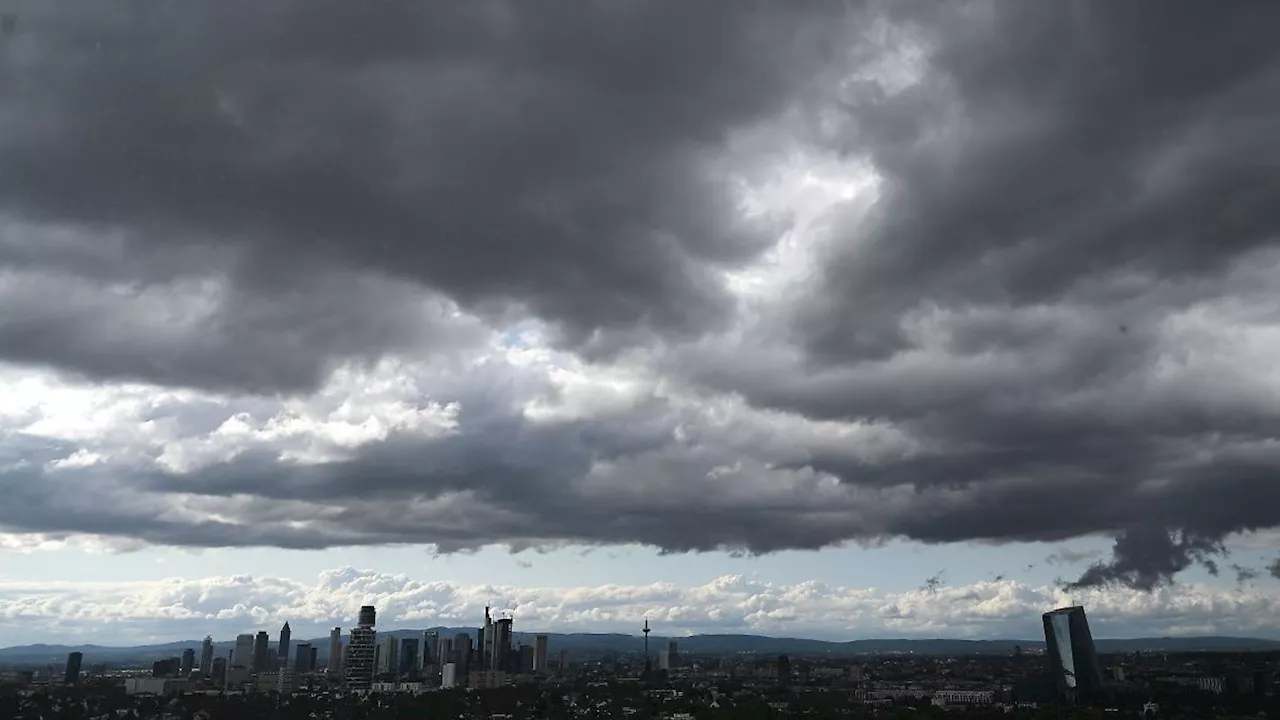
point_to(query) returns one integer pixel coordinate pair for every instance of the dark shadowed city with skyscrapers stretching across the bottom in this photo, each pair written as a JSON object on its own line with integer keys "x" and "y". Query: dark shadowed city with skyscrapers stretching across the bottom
{"x": 474, "y": 673}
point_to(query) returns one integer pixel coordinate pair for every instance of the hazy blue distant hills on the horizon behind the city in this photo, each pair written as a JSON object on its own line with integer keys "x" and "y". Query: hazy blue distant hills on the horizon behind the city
{"x": 593, "y": 646}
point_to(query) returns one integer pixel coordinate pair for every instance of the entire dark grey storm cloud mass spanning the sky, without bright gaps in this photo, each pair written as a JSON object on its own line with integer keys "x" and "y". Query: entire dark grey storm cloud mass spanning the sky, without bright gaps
{"x": 1077, "y": 202}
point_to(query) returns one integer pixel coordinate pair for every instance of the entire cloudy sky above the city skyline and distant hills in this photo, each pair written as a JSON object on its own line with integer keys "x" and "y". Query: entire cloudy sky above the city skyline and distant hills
{"x": 822, "y": 320}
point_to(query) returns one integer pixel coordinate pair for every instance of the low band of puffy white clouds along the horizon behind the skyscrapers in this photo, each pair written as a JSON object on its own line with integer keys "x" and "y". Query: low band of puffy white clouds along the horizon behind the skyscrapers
{"x": 185, "y": 609}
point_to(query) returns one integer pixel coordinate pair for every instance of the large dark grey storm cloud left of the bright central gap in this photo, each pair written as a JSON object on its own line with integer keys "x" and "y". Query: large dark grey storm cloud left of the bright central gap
{"x": 557, "y": 158}
